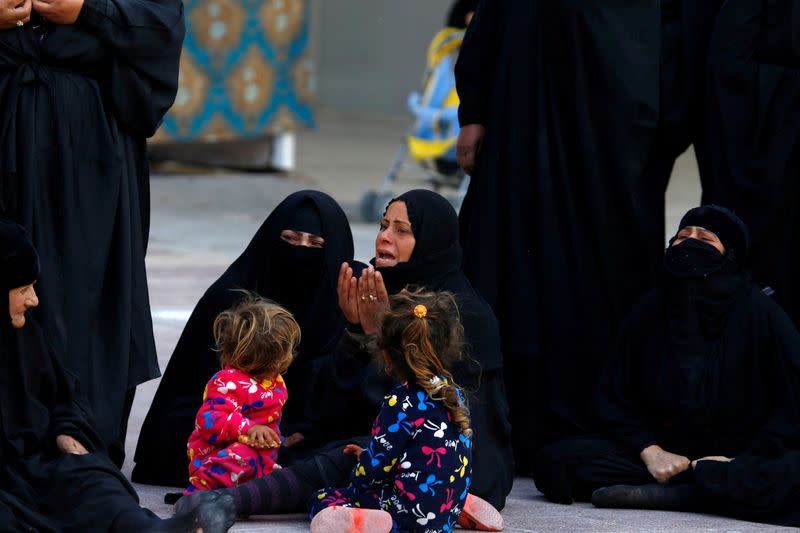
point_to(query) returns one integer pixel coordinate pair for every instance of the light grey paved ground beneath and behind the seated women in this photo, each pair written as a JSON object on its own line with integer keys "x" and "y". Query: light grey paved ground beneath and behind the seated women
{"x": 202, "y": 222}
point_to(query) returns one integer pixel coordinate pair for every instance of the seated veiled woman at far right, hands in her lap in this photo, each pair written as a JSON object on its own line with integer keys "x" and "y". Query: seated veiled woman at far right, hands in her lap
{"x": 701, "y": 399}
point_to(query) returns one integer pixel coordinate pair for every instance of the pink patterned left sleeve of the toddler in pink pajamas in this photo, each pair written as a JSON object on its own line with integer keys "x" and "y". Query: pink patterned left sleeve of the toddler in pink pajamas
{"x": 220, "y": 417}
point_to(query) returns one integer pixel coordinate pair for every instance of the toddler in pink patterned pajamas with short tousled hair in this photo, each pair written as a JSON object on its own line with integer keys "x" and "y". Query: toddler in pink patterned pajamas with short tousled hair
{"x": 237, "y": 433}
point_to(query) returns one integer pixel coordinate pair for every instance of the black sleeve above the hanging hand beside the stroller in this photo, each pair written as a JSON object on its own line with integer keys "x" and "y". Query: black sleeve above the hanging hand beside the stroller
{"x": 475, "y": 66}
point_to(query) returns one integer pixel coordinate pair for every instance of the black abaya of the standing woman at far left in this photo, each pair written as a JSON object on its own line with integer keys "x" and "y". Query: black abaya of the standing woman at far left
{"x": 75, "y": 109}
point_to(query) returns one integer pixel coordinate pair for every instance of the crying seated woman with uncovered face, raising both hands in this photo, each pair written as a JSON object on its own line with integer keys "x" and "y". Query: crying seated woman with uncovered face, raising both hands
{"x": 416, "y": 245}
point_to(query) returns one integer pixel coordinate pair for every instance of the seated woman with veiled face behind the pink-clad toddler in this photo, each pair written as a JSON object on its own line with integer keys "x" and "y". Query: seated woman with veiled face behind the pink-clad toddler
{"x": 293, "y": 259}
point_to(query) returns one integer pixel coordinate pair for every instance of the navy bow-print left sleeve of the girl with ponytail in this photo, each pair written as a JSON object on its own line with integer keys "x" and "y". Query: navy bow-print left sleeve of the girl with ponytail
{"x": 391, "y": 434}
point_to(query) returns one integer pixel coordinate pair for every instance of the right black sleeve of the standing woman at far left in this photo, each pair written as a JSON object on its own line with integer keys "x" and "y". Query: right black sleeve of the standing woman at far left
{"x": 146, "y": 38}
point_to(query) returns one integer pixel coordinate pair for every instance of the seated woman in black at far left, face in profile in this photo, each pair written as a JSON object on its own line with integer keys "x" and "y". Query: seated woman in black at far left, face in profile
{"x": 55, "y": 472}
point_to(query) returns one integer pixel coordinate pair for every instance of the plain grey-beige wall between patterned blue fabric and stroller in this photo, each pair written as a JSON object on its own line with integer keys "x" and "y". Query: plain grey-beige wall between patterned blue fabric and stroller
{"x": 371, "y": 53}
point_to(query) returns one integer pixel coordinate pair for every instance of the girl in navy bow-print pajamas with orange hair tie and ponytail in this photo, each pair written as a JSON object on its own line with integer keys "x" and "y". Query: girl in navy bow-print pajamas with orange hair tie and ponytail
{"x": 415, "y": 473}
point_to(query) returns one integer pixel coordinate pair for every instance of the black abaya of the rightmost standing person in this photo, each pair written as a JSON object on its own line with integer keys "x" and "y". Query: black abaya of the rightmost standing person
{"x": 750, "y": 153}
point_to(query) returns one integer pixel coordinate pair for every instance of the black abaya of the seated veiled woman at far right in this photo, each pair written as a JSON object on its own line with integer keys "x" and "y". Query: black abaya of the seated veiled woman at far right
{"x": 696, "y": 391}
